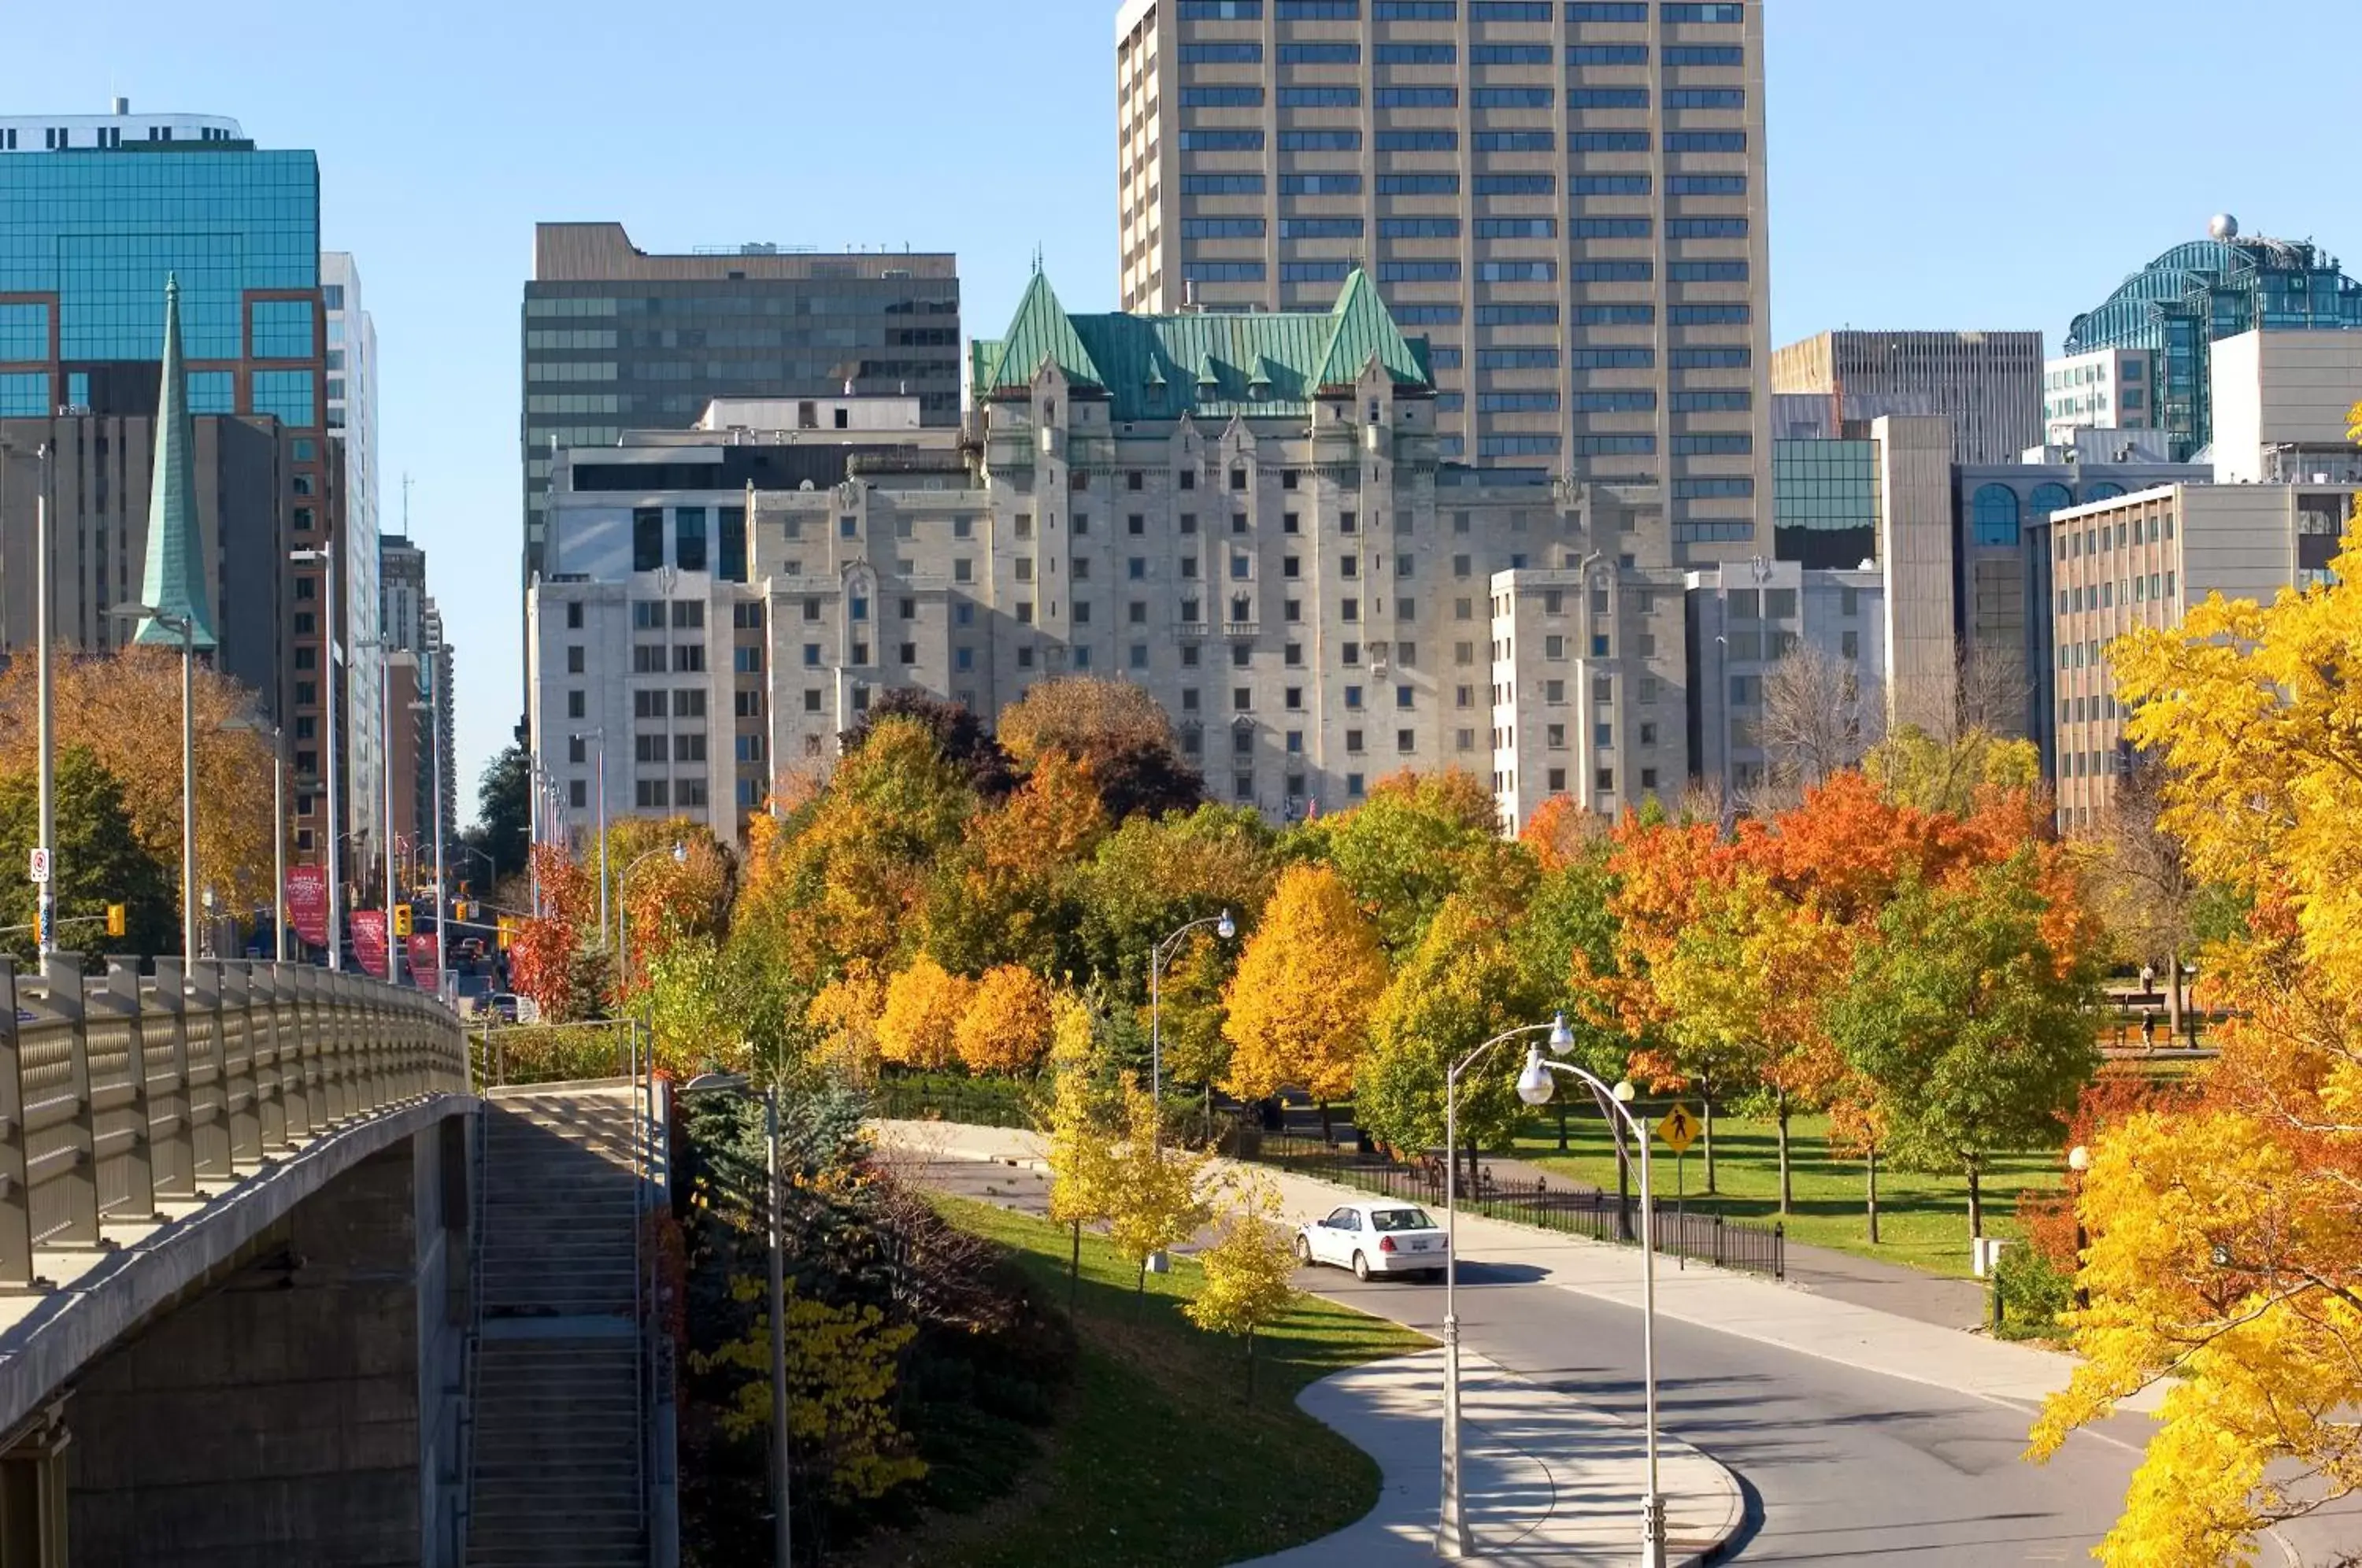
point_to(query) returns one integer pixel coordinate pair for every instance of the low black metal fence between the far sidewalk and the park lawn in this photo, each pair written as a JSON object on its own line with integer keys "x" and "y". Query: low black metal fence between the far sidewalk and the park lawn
{"x": 1603, "y": 1217}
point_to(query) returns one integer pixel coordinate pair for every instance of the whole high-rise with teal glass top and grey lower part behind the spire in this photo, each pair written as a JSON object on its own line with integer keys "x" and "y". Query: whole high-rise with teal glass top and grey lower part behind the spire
{"x": 98, "y": 216}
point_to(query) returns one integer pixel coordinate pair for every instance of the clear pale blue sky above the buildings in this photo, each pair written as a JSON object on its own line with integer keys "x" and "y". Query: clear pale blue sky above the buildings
{"x": 1938, "y": 166}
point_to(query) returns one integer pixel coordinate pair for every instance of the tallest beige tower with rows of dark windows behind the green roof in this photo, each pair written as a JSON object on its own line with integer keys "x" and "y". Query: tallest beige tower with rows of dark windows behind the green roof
{"x": 1567, "y": 197}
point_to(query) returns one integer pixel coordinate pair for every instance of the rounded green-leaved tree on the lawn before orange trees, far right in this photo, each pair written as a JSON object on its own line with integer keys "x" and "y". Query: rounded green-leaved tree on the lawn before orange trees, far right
{"x": 1971, "y": 1024}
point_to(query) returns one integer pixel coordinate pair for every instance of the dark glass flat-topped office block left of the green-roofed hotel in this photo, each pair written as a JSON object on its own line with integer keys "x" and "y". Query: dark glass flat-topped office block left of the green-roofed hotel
{"x": 622, "y": 339}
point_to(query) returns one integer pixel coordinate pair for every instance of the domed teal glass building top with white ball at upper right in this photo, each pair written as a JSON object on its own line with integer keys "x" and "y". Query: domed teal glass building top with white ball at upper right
{"x": 2198, "y": 294}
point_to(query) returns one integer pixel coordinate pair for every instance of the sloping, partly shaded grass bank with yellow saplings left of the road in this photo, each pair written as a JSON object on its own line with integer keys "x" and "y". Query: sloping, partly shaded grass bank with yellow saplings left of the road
{"x": 1156, "y": 1456}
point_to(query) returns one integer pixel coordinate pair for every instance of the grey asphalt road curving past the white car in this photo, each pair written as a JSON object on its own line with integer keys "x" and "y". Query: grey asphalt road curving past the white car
{"x": 1841, "y": 1465}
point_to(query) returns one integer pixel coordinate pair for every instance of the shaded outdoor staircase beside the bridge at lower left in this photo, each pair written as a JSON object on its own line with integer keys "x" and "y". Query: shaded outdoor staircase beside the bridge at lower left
{"x": 559, "y": 1444}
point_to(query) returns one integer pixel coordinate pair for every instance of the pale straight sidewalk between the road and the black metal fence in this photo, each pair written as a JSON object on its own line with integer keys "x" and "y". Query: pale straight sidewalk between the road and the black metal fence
{"x": 1709, "y": 1298}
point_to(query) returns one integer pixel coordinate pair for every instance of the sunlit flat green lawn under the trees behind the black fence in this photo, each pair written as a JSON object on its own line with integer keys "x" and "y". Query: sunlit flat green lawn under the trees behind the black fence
{"x": 1921, "y": 1220}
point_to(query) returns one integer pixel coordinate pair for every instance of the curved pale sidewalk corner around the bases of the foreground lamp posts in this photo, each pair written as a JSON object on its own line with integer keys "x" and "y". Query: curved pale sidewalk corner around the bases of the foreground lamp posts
{"x": 1546, "y": 1479}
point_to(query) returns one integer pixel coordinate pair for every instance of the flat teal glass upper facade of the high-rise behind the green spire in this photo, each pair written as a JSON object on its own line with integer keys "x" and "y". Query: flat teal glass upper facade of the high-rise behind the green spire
{"x": 98, "y": 233}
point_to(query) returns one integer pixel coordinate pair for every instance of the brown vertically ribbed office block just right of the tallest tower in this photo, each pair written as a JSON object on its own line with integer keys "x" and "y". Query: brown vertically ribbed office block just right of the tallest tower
{"x": 1990, "y": 386}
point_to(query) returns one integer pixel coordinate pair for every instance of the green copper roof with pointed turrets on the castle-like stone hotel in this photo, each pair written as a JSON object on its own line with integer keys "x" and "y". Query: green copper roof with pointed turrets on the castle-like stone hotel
{"x": 1211, "y": 365}
